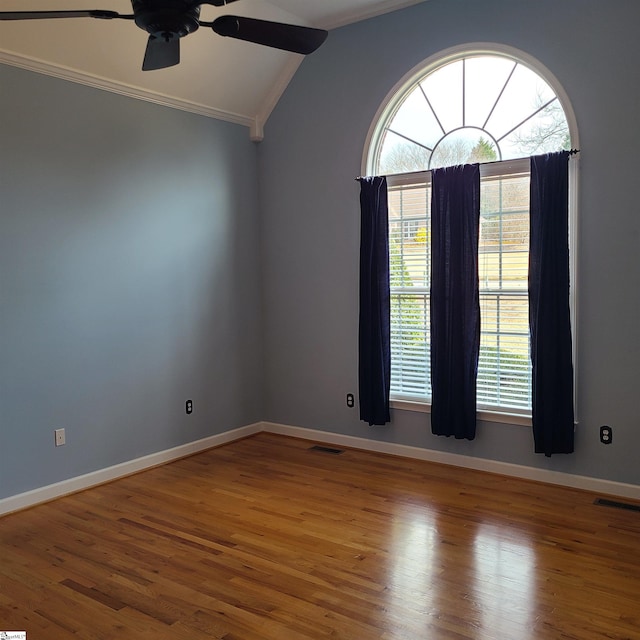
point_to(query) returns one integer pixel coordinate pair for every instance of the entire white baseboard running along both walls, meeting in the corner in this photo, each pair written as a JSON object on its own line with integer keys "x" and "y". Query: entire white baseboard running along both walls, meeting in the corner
{"x": 79, "y": 483}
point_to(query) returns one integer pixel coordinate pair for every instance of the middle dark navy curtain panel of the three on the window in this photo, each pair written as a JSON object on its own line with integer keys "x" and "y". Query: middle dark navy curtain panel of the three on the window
{"x": 455, "y": 303}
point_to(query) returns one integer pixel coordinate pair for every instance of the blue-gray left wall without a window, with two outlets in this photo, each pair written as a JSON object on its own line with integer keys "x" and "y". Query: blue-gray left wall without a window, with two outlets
{"x": 129, "y": 279}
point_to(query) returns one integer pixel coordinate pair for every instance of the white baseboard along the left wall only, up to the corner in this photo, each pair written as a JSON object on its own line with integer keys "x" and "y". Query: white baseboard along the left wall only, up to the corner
{"x": 79, "y": 483}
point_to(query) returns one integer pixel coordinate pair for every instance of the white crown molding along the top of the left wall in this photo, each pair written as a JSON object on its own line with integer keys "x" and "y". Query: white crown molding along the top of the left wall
{"x": 96, "y": 82}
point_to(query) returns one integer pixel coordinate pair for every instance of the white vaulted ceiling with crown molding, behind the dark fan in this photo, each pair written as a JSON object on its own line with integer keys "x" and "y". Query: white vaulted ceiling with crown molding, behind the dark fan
{"x": 219, "y": 77}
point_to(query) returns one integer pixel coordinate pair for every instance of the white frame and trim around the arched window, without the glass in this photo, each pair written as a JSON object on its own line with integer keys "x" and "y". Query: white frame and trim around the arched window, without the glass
{"x": 390, "y": 105}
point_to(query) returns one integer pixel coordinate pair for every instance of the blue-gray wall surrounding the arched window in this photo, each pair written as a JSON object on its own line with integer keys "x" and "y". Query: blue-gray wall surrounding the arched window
{"x": 312, "y": 151}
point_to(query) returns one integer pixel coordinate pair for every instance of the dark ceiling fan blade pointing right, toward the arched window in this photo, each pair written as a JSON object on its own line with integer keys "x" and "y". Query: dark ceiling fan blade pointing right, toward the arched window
{"x": 271, "y": 34}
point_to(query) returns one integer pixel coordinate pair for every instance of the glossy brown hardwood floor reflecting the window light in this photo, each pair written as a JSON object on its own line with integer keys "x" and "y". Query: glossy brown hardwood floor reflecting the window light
{"x": 264, "y": 539}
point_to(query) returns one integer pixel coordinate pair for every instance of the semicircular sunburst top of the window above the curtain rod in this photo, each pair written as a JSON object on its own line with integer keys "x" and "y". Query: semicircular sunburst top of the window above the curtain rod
{"x": 479, "y": 104}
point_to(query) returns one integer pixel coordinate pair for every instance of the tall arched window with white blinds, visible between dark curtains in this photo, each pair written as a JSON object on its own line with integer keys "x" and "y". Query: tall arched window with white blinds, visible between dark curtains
{"x": 491, "y": 105}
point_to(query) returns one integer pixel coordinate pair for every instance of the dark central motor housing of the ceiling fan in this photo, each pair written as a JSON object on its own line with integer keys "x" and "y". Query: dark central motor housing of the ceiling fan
{"x": 166, "y": 19}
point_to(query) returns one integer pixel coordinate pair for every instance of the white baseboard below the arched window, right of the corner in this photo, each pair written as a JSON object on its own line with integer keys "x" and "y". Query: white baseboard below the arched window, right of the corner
{"x": 585, "y": 483}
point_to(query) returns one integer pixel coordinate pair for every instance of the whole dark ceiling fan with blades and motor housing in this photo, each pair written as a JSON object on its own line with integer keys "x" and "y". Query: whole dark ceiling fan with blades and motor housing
{"x": 166, "y": 21}
